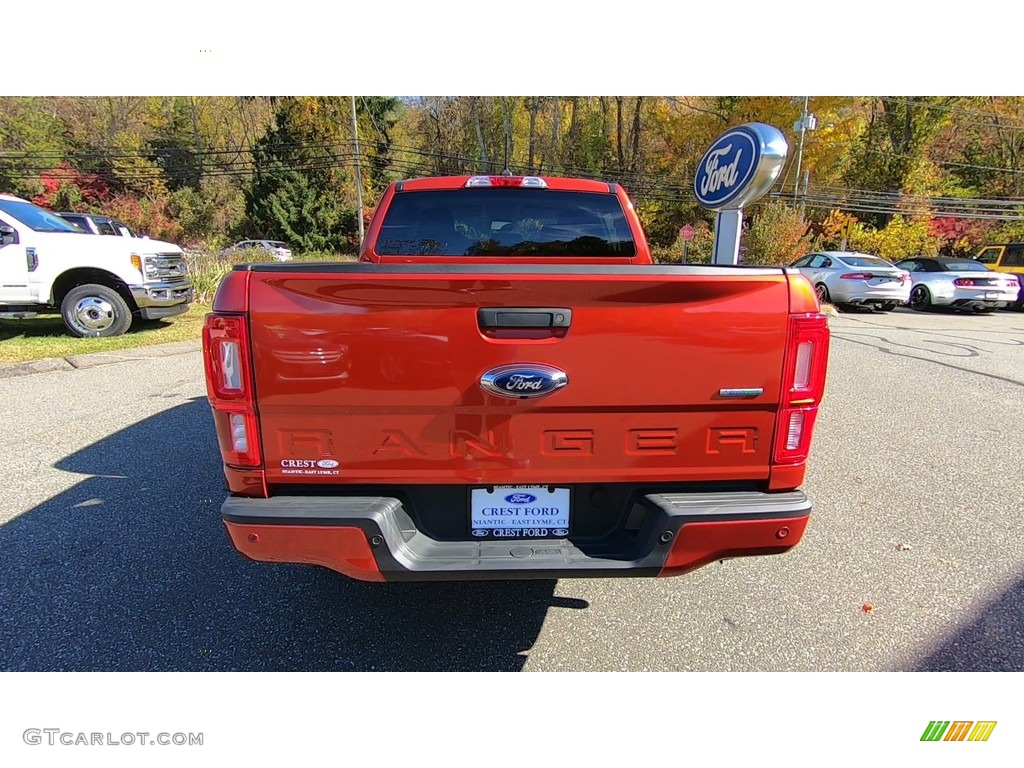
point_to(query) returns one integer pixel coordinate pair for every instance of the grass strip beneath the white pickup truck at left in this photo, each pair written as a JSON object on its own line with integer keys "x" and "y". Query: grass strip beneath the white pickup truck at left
{"x": 47, "y": 337}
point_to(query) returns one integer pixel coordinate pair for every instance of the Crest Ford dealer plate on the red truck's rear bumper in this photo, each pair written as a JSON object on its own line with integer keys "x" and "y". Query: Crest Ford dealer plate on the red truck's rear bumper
{"x": 520, "y": 513}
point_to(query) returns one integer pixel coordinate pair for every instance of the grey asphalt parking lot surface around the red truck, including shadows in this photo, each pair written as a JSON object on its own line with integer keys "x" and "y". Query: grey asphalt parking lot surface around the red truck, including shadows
{"x": 115, "y": 558}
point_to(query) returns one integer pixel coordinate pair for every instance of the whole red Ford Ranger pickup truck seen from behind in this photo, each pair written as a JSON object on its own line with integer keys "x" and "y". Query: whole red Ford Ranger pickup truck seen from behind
{"x": 506, "y": 387}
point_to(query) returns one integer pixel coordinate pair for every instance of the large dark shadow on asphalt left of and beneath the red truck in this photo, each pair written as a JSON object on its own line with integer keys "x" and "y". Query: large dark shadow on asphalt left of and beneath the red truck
{"x": 132, "y": 570}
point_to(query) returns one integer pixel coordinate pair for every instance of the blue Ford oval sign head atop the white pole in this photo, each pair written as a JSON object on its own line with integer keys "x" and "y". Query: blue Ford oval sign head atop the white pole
{"x": 741, "y": 166}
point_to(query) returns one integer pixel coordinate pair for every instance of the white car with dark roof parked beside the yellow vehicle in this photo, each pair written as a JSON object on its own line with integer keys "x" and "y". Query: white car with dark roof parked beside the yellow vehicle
{"x": 966, "y": 284}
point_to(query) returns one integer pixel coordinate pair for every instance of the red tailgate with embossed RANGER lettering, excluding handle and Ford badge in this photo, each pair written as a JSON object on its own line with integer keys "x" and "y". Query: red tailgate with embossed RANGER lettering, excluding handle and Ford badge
{"x": 371, "y": 374}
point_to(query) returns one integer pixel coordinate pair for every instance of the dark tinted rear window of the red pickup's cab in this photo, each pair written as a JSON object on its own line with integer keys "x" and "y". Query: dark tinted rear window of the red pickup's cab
{"x": 505, "y": 223}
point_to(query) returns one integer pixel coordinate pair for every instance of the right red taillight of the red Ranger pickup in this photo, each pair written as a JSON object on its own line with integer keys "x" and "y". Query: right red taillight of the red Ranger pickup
{"x": 803, "y": 386}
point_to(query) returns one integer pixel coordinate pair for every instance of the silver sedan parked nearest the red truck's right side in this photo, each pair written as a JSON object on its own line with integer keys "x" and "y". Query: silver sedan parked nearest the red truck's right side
{"x": 859, "y": 279}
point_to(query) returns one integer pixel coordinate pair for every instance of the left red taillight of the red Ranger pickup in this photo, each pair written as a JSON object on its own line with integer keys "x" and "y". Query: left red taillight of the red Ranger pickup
{"x": 229, "y": 386}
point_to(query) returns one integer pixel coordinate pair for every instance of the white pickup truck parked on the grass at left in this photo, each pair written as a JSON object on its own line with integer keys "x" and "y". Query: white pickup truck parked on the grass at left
{"x": 98, "y": 285}
